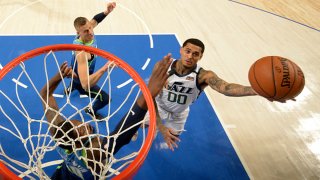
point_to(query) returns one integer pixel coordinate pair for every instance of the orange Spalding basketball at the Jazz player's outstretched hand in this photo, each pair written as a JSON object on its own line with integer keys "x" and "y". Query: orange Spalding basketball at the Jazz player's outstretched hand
{"x": 276, "y": 78}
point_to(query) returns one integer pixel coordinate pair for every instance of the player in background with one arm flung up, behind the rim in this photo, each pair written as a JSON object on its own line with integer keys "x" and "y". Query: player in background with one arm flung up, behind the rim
{"x": 85, "y": 62}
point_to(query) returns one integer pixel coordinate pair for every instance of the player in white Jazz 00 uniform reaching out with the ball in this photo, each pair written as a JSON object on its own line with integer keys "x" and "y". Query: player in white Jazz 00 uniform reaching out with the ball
{"x": 182, "y": 88}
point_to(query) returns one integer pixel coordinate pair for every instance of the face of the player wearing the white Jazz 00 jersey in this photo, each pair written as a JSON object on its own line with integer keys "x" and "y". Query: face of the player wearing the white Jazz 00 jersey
{"x": 190, "y": 55}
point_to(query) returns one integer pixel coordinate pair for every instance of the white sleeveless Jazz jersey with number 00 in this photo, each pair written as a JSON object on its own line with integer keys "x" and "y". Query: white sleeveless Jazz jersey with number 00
{"x": 179, "y": 92}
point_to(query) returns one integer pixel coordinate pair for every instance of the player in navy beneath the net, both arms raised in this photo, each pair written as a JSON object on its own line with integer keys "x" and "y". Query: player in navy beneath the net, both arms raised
{"x": 74, "y": 133}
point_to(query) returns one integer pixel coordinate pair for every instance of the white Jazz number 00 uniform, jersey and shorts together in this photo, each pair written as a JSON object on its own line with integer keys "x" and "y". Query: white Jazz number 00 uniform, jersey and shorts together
{"x": 179, "y": 92}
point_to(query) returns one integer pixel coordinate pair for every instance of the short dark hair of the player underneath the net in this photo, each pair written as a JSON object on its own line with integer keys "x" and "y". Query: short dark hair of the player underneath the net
{"x": 64, "y": 134}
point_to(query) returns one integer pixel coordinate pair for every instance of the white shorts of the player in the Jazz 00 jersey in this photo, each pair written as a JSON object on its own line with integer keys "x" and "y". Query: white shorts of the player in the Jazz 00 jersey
{"x": 176, "y": 121}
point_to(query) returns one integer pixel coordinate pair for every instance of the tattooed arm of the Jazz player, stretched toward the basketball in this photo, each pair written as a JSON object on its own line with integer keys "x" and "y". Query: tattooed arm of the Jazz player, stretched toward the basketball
{"x": 229, "y": 89}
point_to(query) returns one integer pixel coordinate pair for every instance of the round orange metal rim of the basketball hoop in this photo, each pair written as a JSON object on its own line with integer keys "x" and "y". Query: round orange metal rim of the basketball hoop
{"x": 137, "y": 162}
